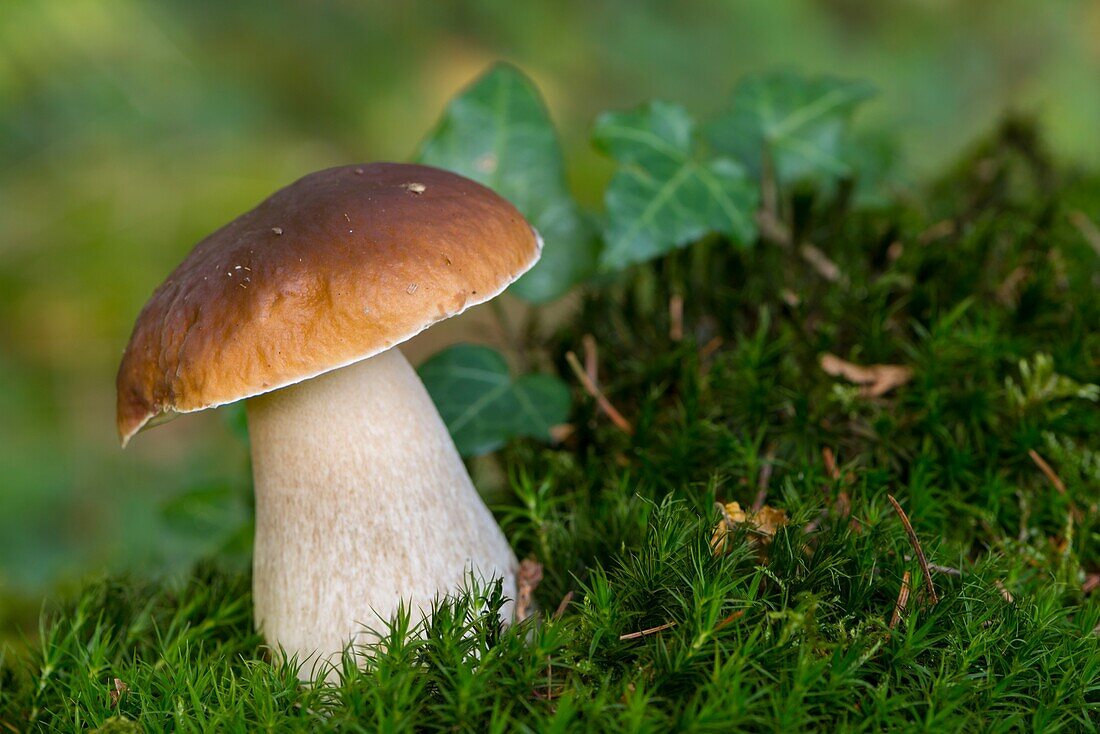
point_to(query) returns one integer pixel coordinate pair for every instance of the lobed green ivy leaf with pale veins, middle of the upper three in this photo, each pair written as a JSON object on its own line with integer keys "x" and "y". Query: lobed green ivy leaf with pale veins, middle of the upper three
{"x": 664, "y": 195}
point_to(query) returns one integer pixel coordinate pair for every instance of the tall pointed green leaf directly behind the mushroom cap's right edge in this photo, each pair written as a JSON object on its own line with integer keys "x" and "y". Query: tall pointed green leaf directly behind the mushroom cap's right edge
{"x": 499, "y": 133}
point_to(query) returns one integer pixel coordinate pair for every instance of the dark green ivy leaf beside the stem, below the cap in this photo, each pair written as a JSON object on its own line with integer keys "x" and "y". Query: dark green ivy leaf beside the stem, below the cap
{"x": 483, "y": 407}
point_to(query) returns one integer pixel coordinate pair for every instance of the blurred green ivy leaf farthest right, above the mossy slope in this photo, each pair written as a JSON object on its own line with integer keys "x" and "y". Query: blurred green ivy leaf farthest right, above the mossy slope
{"x": 801, "y": 123}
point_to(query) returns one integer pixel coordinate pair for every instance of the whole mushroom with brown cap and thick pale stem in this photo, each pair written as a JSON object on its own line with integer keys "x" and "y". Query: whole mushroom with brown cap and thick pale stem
{"x": 298, "y": 306}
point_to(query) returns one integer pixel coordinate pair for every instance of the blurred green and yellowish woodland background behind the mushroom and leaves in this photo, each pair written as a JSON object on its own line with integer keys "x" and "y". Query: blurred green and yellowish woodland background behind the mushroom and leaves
{"x": 129, "y": 129}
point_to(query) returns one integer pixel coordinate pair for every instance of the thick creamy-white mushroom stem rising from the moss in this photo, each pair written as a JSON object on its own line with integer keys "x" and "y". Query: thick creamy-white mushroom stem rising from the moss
{"x": 362, "y": 502}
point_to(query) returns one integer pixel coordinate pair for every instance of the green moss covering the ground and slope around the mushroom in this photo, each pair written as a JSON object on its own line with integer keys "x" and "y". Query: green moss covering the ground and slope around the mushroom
{"x": 985, "y": 289}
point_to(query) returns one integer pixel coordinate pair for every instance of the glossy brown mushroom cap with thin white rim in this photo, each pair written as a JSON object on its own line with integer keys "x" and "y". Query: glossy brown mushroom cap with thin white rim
{"x": 336, "y": 268}
